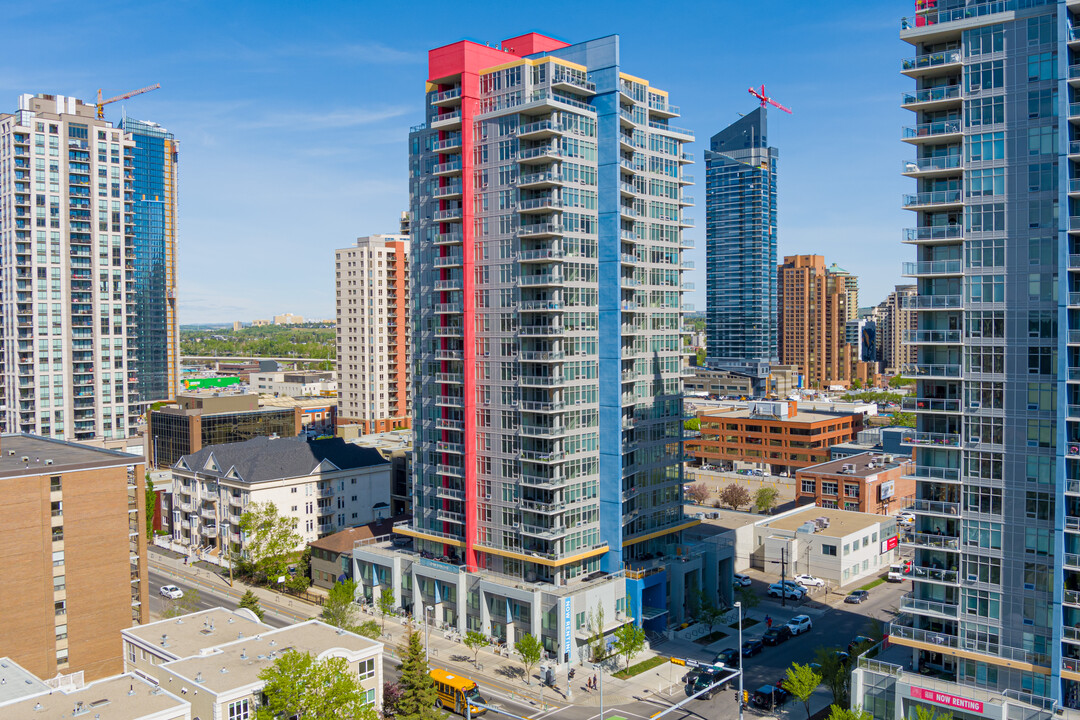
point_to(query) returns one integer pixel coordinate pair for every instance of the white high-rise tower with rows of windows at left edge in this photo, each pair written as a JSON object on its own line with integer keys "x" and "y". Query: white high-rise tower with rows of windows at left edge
{"x": 70, "y": 308}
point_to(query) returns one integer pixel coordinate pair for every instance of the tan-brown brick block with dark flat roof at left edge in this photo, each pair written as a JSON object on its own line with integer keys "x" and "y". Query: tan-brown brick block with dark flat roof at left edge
{"x": 74, "y": 545}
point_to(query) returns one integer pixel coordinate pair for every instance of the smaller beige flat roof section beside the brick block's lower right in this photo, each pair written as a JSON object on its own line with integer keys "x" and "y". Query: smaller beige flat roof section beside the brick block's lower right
{"x": 190, "y": 634}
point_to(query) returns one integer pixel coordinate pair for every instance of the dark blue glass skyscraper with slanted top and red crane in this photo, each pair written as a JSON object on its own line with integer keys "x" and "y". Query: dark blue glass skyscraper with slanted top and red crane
{"x": 741, "y": 248}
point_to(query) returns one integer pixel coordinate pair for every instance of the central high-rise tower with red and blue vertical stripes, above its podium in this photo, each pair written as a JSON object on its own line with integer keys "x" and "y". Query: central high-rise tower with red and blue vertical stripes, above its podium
{"x": 548, "y": 218}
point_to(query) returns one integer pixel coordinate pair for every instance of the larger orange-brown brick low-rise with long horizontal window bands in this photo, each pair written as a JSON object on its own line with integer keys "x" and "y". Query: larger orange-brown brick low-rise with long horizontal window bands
{"x": 772, "y": 433}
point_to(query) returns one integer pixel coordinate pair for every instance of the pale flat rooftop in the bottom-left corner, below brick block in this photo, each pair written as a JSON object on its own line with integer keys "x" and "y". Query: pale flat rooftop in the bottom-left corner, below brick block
{"x": 119, "y": 698}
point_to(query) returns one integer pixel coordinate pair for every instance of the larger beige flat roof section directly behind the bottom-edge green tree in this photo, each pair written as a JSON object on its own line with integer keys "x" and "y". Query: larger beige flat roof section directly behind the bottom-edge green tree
{"x": 244, "y": 660}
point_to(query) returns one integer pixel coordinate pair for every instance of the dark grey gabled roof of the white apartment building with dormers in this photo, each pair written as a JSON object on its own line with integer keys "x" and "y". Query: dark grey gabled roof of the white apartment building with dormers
{"x": 263, "y": 459}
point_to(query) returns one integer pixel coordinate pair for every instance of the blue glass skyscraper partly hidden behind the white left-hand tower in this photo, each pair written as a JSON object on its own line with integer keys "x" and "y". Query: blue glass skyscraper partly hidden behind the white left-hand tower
{"x": 154, "y": 166}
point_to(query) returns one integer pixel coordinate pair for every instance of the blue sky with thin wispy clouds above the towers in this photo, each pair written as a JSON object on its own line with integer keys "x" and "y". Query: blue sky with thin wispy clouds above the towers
{"x": 293, "y": 117}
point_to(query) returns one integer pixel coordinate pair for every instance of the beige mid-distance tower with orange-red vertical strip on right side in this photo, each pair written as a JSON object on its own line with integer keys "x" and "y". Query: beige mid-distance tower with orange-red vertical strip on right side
{"x": 373, "y": 334}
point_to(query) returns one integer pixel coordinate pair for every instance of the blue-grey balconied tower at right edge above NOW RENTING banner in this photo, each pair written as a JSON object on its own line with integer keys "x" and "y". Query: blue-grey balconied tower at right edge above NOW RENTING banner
{"x": 995, "y": 607}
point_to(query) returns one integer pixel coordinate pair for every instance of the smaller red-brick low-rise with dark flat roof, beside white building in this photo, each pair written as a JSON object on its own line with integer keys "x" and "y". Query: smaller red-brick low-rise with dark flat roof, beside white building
{"x": 867, "y": 483}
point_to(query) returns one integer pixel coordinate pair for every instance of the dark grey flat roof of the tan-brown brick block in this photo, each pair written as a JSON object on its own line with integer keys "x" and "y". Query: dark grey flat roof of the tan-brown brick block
{"x": 65, "y": 457}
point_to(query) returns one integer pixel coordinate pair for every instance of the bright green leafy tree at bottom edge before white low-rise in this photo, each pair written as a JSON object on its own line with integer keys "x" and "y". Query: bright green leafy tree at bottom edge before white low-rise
{"x": 299, "y": 686}
